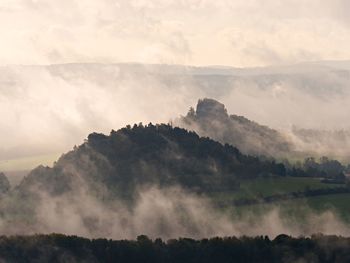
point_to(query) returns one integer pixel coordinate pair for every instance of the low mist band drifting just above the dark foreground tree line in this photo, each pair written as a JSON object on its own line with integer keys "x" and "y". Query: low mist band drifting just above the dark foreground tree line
{"x": 166, "y": 213}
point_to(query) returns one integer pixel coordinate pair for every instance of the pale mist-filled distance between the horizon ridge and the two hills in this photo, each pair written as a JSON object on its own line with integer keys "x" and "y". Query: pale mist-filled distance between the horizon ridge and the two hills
{"x": 49, "y": 109}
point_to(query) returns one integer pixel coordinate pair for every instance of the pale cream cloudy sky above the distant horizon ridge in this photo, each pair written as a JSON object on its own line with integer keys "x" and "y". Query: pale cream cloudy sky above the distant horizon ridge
{"x": 241, "y": 33}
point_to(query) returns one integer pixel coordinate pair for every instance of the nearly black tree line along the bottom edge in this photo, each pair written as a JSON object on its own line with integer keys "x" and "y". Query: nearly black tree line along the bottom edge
{"x": 61, "y": 248}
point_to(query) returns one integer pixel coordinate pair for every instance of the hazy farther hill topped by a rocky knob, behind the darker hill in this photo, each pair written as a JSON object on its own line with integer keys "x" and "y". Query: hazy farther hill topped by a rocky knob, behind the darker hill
{"x": 210, "y": 118}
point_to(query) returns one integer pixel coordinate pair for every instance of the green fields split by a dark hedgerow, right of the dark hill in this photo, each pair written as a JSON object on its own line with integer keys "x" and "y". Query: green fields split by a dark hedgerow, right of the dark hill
{"x": 295, "y": 208}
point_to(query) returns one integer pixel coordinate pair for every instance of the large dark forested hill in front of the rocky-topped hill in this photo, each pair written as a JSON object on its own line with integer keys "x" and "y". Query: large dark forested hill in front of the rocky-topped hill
{"x": 152, "y": 154}
